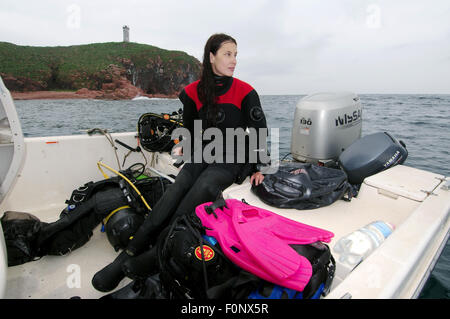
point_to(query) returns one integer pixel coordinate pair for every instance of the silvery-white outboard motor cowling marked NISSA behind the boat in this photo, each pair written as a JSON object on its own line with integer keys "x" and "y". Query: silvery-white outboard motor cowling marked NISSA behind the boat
{"x": 325, "y": 124}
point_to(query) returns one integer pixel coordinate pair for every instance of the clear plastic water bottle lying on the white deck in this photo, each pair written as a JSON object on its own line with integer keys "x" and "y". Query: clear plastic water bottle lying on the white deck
{"x": 356, "y": 246}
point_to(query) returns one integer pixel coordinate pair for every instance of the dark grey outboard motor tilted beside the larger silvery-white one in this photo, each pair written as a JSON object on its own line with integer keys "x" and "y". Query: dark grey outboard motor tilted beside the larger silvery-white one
{"x": 371, "y": 154}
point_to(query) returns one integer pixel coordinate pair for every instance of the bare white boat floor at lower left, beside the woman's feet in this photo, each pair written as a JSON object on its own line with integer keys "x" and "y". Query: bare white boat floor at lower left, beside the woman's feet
{"x": 62, "y": 277}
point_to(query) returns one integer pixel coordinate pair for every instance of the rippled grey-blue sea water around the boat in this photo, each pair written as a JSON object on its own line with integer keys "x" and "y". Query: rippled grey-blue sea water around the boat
{"x": 422, "y": 122}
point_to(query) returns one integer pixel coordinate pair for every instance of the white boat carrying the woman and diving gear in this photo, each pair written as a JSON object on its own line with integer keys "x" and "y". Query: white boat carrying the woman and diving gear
{"x": 38, "y": 174}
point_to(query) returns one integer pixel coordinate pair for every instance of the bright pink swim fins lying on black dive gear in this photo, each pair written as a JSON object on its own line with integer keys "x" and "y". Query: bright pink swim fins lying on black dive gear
{"x": 258, "y": 241}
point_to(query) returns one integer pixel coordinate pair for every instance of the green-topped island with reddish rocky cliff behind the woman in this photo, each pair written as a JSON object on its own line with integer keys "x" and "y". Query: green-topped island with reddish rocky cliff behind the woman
{"x": 113, "y": 70}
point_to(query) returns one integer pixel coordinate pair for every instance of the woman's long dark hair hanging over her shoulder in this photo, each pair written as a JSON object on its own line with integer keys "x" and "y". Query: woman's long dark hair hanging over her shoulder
{"x": 207, "y": 85}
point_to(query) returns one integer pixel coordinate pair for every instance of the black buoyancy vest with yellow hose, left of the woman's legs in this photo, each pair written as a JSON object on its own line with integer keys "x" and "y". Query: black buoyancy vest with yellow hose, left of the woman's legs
{"x": 111, "y": 201}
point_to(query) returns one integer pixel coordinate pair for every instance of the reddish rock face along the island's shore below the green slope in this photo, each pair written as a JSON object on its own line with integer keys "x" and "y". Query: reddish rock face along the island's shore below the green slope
{"x": 114, "y": 82}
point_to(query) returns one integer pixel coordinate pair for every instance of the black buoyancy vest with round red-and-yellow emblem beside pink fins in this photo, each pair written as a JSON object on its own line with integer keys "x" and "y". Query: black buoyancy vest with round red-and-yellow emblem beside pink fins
{"x": 192, "y": 266}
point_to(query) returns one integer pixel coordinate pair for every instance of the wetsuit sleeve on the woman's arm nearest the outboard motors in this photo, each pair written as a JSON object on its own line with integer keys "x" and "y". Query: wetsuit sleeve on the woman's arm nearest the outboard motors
{"x": 255, "y": 118}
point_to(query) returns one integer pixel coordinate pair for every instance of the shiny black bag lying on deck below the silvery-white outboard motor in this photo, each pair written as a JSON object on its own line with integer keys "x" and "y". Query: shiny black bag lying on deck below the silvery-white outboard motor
{"x": 303, "y": 186}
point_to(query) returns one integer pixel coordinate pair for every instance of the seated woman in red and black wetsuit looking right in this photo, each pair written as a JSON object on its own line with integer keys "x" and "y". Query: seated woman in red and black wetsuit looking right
{"x": 218, "y": 101}
